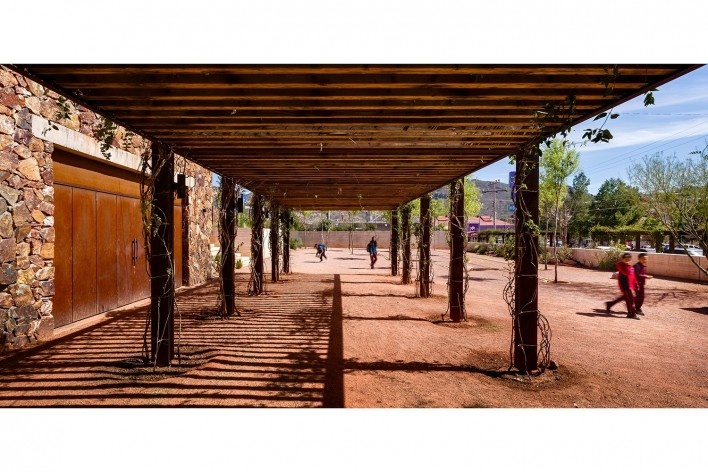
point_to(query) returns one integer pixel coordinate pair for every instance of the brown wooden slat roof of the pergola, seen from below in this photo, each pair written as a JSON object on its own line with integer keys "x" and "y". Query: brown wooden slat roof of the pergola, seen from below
{"x": 328, "y": 137}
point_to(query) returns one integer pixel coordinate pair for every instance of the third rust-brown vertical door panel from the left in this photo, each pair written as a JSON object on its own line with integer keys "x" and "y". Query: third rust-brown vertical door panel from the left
{"x": 106, "y": 251}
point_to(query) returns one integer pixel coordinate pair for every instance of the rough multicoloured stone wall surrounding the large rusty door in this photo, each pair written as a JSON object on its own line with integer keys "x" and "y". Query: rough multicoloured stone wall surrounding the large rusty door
{"x": 27, "y": 232}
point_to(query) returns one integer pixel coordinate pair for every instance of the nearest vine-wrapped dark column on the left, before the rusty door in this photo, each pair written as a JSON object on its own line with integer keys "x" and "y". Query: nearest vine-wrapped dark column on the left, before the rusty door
{"x": 162, "y": 284}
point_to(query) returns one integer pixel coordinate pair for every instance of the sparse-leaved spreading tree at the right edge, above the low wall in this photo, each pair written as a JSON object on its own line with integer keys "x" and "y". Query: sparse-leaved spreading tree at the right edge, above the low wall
{"x": 677, "y": 195}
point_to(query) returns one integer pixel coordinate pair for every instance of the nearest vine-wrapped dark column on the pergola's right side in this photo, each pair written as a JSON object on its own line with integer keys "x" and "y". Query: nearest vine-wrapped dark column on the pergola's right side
{"x": 526, "y": 269}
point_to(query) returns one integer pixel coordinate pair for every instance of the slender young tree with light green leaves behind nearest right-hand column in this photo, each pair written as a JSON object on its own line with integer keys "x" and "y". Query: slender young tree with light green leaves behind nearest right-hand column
{"x": 557, "y": 164}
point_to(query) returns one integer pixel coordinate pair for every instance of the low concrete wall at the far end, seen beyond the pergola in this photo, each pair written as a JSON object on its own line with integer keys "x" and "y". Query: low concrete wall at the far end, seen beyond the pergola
{"x": 340, "y": 239}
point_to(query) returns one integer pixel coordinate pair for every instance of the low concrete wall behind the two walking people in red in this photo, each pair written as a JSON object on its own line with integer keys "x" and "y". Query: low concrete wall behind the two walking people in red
{"x": 662, "y": 265}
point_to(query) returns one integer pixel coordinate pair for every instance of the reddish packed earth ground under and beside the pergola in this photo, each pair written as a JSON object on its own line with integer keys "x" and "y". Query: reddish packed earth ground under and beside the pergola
{"x": 338, "y": 333}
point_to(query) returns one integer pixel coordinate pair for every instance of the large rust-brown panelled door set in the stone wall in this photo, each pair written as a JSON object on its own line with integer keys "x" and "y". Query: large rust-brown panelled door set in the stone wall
{"x": 100, "y": 257}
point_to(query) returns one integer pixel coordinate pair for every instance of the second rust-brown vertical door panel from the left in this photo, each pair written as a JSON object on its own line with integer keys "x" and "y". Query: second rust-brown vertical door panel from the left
{"x": 84, "y": 254}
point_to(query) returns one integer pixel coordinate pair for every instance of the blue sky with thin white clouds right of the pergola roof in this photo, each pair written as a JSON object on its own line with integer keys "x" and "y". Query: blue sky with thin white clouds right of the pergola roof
{"x": 676, "y": 123}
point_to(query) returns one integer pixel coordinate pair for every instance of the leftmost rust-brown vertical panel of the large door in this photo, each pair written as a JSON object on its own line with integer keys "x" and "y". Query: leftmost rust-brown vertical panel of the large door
{"x": 63, "y": 282}
